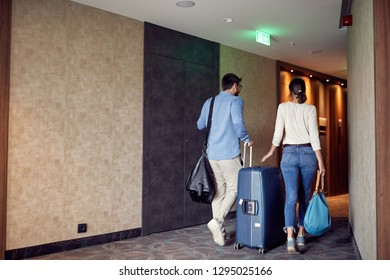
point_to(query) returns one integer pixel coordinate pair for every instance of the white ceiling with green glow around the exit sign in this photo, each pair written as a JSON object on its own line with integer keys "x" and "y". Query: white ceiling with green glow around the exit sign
{"x": 305, "y": 33}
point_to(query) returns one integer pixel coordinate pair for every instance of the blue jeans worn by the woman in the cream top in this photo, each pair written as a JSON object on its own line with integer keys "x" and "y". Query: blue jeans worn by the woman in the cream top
{"x": 298, "y": 165}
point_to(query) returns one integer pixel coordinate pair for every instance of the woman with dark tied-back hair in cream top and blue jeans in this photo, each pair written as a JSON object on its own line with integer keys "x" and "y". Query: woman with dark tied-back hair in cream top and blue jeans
{"x": 301, "y": 153}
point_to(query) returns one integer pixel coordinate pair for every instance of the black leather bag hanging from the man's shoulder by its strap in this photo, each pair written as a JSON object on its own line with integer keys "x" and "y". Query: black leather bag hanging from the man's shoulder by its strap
{"x": 201, "y": 181}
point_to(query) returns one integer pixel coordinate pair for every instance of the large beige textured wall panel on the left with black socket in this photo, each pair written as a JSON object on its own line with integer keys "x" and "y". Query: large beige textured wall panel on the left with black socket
{"x": 75, "y": 137}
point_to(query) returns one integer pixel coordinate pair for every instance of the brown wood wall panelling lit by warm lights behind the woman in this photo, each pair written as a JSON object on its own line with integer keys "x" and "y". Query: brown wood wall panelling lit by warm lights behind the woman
{"x": 331, "y": 103}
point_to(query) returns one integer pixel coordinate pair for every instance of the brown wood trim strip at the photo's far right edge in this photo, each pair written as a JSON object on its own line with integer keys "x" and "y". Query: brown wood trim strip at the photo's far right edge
{"x": 382, "y": 127}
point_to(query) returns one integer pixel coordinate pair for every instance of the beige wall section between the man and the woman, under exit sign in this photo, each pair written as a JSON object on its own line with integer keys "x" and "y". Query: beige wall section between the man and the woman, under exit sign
{"x": 259, "y": 93}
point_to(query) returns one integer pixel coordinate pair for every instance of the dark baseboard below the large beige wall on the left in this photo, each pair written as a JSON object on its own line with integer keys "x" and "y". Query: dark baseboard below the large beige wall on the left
{"x": 61, "y": 246}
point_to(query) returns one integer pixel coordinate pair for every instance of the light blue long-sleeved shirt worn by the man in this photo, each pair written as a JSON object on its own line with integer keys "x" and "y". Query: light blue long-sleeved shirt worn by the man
{"x": 227, "y": 126}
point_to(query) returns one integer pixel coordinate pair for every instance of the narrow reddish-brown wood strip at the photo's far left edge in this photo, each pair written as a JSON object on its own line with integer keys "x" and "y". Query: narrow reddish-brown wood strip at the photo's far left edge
{"x": 5, "y": 49}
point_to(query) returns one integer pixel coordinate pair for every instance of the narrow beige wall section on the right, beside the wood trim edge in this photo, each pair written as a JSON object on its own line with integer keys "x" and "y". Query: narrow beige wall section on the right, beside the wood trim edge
{"x": 361, "y": 128}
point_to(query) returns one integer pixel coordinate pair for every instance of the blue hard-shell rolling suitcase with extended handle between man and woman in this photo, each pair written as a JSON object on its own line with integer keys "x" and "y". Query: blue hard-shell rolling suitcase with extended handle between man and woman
{"x": 260, "y": 208}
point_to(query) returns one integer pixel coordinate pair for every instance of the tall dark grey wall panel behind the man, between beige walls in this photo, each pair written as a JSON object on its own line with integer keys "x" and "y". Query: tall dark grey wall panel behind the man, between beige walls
{"x": 181, "y": 72}
